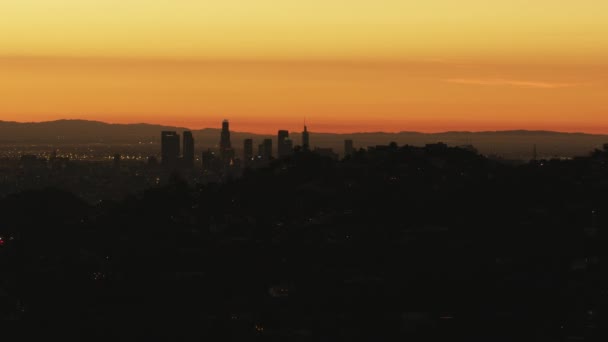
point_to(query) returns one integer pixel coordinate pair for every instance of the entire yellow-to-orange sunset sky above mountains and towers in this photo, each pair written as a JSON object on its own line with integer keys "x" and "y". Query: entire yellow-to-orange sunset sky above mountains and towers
{"x": 344, "y": 65}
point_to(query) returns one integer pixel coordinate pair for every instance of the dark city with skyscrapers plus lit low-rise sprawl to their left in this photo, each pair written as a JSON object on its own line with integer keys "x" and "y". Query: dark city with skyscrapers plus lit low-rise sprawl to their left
{"x": 108, "y": 173}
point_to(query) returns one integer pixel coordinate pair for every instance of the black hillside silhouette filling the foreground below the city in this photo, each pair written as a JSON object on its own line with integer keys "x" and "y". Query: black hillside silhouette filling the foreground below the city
{"x": 391, "y": 243}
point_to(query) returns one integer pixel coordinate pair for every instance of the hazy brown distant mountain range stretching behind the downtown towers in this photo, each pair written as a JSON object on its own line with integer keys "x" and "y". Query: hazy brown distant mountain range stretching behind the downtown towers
{"x": 518, "y": 144}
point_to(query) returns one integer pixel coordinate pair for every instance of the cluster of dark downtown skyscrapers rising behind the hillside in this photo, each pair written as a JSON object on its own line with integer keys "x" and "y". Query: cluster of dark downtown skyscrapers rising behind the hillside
{"x": 226, "y": 160}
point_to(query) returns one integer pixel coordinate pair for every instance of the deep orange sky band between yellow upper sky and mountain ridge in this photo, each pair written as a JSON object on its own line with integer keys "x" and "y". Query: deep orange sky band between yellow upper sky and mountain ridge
{"x": 339, "y": 96}
